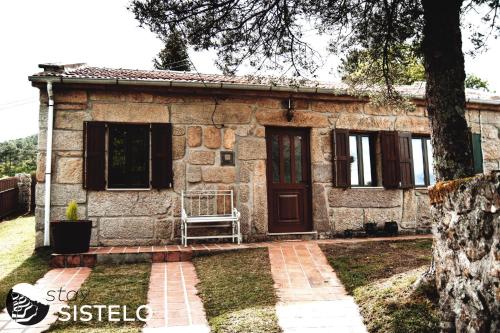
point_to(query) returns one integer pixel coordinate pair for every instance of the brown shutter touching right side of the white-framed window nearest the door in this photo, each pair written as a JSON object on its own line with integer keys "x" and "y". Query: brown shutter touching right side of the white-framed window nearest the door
{"x": 389, "y": 142}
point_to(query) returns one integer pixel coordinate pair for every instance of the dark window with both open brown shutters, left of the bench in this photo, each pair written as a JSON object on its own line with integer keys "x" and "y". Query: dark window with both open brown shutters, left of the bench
{"x": 134, "y": 155}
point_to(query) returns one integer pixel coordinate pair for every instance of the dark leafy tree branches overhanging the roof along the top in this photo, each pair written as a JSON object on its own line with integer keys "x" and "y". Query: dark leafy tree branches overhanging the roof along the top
{"x": 274, "y": 33}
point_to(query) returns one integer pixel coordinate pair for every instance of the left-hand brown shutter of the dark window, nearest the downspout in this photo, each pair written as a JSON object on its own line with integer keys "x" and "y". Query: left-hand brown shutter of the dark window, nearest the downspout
{"x": 94, "y": 133}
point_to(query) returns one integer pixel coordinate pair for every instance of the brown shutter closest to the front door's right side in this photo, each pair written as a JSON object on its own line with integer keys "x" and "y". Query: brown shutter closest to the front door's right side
{"x": 342, "y": 158}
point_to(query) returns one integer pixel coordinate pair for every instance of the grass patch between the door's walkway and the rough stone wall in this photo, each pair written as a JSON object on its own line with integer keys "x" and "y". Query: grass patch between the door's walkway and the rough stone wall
{"x": 380, "y": 275}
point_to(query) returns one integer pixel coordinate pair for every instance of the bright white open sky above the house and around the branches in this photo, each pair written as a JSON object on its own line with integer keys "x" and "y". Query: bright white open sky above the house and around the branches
{"x": 105, "y": 33}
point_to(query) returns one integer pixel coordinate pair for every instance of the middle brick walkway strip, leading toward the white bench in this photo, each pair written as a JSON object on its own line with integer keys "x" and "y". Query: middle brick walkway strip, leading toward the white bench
{"x": 173, "y": 297}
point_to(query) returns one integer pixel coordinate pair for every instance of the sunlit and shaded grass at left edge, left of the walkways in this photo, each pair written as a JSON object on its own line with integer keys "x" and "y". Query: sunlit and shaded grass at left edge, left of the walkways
{"x": 18, "y": 260}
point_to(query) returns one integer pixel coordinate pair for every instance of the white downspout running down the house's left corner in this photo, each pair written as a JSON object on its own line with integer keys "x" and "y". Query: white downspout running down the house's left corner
{"x": 48, "y": 166}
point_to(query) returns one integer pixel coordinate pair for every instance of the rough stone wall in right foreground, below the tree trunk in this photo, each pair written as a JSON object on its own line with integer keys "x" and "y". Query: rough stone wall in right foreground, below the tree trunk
{"x": 466, "y": 253}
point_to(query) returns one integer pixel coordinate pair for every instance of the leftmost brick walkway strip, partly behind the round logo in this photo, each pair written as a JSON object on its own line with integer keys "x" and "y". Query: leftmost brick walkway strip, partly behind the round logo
{"x": 65, "y": 278}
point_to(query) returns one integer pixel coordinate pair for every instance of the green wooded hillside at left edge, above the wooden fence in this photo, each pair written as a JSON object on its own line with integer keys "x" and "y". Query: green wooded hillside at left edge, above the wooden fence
{"x": 18, "y": 156}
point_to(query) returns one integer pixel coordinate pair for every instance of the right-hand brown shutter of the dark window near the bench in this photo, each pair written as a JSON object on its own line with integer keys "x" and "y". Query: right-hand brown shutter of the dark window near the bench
{"x": 161, "y": 156}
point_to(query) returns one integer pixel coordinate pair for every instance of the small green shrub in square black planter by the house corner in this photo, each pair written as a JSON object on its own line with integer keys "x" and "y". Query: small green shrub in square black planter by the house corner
{"x": 71, "y": 235}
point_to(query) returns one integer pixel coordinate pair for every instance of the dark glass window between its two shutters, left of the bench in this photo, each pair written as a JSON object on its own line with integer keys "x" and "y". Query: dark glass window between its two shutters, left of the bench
{"x": 128, "y": 156}
